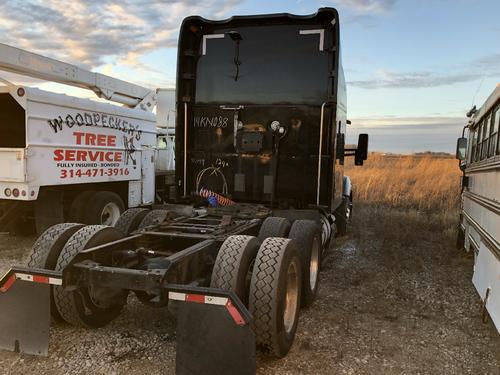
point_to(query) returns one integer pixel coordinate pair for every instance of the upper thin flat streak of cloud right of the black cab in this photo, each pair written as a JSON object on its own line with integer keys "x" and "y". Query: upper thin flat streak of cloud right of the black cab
{"x": 486, "y": 66}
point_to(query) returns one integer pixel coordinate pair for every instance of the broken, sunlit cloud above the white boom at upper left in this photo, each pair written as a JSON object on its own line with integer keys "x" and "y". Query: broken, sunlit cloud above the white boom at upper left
{"x": 92, "y": 33}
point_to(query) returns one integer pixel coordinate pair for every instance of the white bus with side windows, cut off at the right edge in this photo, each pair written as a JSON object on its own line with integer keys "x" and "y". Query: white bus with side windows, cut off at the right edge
{"x": 479, "y": 154}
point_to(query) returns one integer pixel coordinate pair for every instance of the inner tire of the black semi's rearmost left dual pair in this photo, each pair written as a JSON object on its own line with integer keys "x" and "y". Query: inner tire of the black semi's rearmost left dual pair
{"x": 77, "y": 307}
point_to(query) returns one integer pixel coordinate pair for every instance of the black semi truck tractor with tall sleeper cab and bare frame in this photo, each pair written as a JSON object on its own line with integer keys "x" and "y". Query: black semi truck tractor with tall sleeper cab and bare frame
{"x": 260, "y": 196}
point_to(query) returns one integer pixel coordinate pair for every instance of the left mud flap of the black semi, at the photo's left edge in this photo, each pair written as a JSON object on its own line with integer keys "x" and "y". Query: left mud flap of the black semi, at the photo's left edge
{"x": 25, "y": 311}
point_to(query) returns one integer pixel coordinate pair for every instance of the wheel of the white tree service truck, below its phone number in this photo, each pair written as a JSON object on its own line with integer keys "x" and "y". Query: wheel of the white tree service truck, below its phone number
{"x": 103, "y": 208}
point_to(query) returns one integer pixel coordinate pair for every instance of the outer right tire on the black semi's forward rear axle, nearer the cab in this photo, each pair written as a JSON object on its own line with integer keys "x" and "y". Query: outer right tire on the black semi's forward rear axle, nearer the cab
{"x": 307, "y": 236}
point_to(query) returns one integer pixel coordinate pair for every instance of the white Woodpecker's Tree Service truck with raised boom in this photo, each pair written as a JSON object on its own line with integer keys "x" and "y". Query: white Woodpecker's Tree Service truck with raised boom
{"x": 64, "y": 158}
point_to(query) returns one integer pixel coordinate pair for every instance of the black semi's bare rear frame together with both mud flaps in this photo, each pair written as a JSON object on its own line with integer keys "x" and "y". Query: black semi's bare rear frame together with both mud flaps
{"x": 221, "y": 317}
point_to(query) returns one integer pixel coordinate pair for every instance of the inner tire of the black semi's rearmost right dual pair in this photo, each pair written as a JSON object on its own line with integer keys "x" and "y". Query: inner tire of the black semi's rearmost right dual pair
{"x": 232, "y": 269}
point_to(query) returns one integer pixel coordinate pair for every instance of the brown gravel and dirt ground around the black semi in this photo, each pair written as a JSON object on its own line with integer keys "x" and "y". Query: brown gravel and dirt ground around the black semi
{"x": 395, "y": 298}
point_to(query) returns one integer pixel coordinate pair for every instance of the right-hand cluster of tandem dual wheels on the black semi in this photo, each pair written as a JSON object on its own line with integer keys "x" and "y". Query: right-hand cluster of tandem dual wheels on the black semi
{"x": 273, "y": 276}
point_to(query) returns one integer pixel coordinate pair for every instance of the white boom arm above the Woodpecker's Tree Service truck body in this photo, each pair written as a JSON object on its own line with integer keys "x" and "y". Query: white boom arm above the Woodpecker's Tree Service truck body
{"x": 30, "y": 64}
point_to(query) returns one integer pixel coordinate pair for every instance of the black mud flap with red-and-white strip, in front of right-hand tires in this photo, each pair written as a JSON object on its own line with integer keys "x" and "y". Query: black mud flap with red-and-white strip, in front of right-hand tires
{"x": 213, "y": 332}
